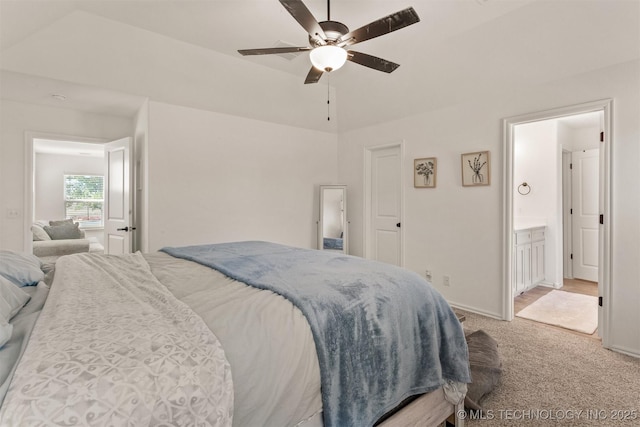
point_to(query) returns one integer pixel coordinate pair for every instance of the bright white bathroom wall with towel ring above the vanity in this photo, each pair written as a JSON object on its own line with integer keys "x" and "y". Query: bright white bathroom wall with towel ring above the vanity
{"x": 537, "y": 161}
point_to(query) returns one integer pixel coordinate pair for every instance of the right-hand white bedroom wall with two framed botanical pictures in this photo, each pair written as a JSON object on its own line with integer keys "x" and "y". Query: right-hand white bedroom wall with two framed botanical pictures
{"x": 459, "y": 231}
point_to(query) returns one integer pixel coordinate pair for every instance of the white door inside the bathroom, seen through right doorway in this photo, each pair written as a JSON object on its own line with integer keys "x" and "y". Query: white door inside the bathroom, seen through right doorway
{"x": 586, "y": 170}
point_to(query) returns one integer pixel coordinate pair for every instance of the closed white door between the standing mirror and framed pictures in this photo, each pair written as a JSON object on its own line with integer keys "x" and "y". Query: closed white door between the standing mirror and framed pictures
{"x": 384, "y": 236}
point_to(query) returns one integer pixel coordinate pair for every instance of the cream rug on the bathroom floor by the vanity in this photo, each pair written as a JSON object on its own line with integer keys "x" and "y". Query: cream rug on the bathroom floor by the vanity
{"x": 565, "y": 309}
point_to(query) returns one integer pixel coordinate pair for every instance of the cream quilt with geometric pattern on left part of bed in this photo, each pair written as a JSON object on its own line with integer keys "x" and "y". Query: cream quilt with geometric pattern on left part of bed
{"x": 114, "y": 347}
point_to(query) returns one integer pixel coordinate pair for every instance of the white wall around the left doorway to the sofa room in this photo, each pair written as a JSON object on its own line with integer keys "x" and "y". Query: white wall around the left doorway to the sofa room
{"x": 16, "y": 118}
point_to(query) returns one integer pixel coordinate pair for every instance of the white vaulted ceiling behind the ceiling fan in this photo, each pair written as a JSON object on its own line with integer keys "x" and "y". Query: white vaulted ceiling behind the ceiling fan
{"x": 107, "y": 56}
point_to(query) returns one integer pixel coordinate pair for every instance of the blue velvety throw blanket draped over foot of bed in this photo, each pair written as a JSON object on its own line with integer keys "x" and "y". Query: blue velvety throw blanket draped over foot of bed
{"x": 382, "y": 333}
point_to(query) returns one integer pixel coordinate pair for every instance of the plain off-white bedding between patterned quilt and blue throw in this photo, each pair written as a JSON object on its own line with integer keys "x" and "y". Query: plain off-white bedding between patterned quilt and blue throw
{"x": 275, "y": 388}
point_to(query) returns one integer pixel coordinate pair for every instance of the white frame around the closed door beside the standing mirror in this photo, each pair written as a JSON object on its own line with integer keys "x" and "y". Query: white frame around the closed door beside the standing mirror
{"x": 368, "y": 157}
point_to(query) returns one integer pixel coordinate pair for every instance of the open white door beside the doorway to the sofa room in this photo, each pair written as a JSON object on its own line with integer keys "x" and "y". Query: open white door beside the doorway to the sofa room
{"x": 118, "y": 227}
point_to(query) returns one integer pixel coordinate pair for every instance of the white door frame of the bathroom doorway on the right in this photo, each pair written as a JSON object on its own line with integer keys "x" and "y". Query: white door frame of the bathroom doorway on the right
{"x": 604, "y": 241}
